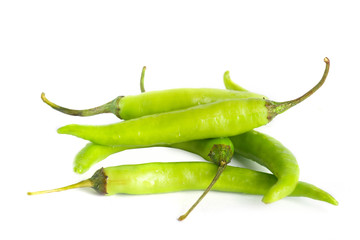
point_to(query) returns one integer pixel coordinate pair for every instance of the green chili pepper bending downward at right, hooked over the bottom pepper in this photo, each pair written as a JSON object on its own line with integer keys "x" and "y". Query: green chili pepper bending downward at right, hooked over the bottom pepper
{"x": 270, "y": 153}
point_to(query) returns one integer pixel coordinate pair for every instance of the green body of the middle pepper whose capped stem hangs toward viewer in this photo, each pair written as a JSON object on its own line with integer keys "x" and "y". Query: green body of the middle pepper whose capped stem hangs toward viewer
{"x": 94, "y": 153}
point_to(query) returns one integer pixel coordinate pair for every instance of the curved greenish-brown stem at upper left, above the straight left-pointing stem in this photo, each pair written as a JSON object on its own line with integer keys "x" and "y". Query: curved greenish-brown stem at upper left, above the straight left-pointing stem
{"x": 110, "y": 107}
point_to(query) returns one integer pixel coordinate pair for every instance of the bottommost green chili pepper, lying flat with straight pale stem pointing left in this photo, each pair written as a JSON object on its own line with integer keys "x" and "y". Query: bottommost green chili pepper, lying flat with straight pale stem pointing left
{"x": 151, "y": 178}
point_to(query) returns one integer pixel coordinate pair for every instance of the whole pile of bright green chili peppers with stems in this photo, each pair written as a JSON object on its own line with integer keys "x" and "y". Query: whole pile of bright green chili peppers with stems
{"x": 212, "y": 123}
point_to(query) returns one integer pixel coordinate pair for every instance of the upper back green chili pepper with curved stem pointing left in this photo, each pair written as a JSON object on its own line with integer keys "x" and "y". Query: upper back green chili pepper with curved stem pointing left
{"x": 130, "y": 107}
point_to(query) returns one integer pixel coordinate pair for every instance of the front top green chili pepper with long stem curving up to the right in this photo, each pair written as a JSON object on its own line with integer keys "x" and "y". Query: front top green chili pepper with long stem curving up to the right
{"x": 219, "y": 119}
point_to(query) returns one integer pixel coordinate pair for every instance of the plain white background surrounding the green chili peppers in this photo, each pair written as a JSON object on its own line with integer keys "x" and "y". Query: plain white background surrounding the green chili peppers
{"x": 85, "y": 53}
